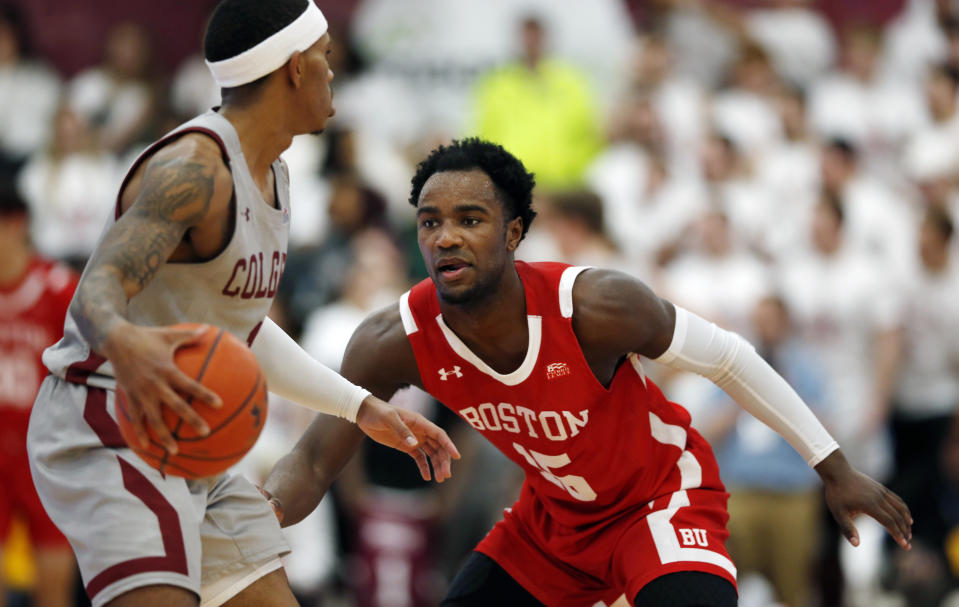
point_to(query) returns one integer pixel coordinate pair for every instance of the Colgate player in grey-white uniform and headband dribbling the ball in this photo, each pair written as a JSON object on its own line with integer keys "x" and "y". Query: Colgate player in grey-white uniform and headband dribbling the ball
{"x": 200, "y": 234}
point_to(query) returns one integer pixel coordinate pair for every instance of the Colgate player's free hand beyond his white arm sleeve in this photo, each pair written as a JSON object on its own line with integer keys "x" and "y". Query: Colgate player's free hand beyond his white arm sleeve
{"x": 410, "y": 433}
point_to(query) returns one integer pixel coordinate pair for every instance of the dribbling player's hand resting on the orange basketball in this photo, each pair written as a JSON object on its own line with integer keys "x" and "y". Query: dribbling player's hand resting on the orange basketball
{"x": 142, "y": 360}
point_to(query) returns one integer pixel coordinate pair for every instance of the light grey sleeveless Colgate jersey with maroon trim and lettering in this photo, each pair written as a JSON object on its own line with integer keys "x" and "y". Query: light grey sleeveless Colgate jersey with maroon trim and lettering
{"x": 234, "y": 290}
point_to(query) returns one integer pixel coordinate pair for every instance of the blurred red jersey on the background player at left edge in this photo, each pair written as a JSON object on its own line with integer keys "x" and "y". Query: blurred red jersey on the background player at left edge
{"x": 31, "y": 319}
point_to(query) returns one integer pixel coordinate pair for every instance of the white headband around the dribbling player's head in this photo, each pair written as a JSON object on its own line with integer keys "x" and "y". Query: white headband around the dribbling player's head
{"x": 271, "y": 53}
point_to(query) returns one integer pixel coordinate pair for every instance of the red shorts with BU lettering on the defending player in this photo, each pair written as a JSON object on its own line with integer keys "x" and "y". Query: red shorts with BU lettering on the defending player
{"x": 595, "y": 564}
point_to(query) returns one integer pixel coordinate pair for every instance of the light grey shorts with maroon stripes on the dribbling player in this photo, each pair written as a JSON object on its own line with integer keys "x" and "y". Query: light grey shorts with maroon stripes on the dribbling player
{"x": 129, "y": 525}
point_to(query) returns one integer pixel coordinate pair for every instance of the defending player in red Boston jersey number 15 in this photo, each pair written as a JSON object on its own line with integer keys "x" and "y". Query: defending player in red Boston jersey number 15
{"x": 621, "y": 495}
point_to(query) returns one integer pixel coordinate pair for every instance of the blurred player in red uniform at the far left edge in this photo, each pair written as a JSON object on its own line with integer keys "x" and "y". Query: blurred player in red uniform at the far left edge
{"x": 34, "y": 295}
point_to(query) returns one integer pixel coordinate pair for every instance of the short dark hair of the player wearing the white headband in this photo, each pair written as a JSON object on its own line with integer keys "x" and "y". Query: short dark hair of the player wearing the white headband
{"x": 239, "y": 25}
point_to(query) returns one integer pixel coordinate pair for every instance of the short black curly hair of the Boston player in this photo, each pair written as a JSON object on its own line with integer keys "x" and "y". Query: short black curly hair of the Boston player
{"x": 513, "y": 182}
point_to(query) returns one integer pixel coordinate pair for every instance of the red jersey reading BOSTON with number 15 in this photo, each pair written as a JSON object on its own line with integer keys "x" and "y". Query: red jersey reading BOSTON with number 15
{"x": 589, "y": 452}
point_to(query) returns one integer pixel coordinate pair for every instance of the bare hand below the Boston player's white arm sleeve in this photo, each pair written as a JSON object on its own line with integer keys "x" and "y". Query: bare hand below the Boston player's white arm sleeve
{"x": 850, "y": 493}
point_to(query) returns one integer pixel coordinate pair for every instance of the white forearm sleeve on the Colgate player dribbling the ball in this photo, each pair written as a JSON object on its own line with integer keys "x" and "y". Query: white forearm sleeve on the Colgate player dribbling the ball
{"x": 295, "y": 375}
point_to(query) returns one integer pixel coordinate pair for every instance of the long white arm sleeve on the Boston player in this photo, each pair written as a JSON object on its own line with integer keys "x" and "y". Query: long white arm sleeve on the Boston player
{"x": 733, "y": 364}
